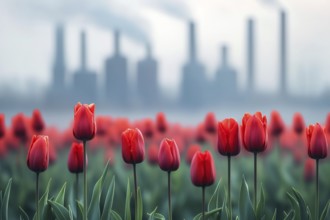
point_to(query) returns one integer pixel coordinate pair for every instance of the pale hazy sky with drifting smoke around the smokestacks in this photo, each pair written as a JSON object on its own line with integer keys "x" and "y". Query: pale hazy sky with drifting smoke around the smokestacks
{"x": 27, "y": 38}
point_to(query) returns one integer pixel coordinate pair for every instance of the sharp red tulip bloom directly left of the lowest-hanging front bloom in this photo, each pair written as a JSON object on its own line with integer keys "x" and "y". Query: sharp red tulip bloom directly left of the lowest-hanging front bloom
{"x": 168, "y": 155}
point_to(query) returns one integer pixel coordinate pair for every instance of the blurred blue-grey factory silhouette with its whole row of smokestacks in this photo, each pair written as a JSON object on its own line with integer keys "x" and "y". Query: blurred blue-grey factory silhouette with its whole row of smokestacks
{"x": 195, "y": 89}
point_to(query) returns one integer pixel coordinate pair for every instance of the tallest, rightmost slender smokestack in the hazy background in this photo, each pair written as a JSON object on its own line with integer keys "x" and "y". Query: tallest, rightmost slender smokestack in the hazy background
{"x": 283, "y": 55}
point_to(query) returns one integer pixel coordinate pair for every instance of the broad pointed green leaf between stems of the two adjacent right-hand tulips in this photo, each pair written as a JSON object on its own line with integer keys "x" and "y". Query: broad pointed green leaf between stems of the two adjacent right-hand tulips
{"x": 245, "y": 204}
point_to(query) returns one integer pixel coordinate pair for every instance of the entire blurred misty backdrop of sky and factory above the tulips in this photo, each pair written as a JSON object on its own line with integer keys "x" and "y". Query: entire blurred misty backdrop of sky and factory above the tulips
{"x": 181, "y": 57}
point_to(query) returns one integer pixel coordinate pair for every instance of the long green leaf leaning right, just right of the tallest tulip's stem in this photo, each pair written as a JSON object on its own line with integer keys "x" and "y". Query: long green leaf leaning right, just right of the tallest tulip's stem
{"x": 94, "y": 206}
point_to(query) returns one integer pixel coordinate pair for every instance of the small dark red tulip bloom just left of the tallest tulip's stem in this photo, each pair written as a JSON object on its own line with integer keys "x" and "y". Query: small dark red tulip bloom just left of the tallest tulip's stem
{"x": 76, "y": 158}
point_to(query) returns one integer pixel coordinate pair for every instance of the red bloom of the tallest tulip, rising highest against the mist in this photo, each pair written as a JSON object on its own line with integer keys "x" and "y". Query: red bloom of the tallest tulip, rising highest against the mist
{"x": 84, "y": 124}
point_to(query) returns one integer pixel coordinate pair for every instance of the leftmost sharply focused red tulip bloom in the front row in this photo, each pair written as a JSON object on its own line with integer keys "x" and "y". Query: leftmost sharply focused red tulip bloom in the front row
{"x": 38, "y": 155}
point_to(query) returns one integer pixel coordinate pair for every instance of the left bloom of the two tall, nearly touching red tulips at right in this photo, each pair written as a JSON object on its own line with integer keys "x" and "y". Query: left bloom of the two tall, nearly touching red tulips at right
{"x": 228, "y": 137}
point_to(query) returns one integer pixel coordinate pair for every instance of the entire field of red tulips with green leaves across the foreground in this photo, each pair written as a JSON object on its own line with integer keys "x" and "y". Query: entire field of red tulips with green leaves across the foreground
{"x": 102, "y": 167}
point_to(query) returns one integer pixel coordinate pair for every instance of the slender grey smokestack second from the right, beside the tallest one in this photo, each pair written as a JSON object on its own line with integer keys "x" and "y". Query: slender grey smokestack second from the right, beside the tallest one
{"x": 250, "y": 54}
